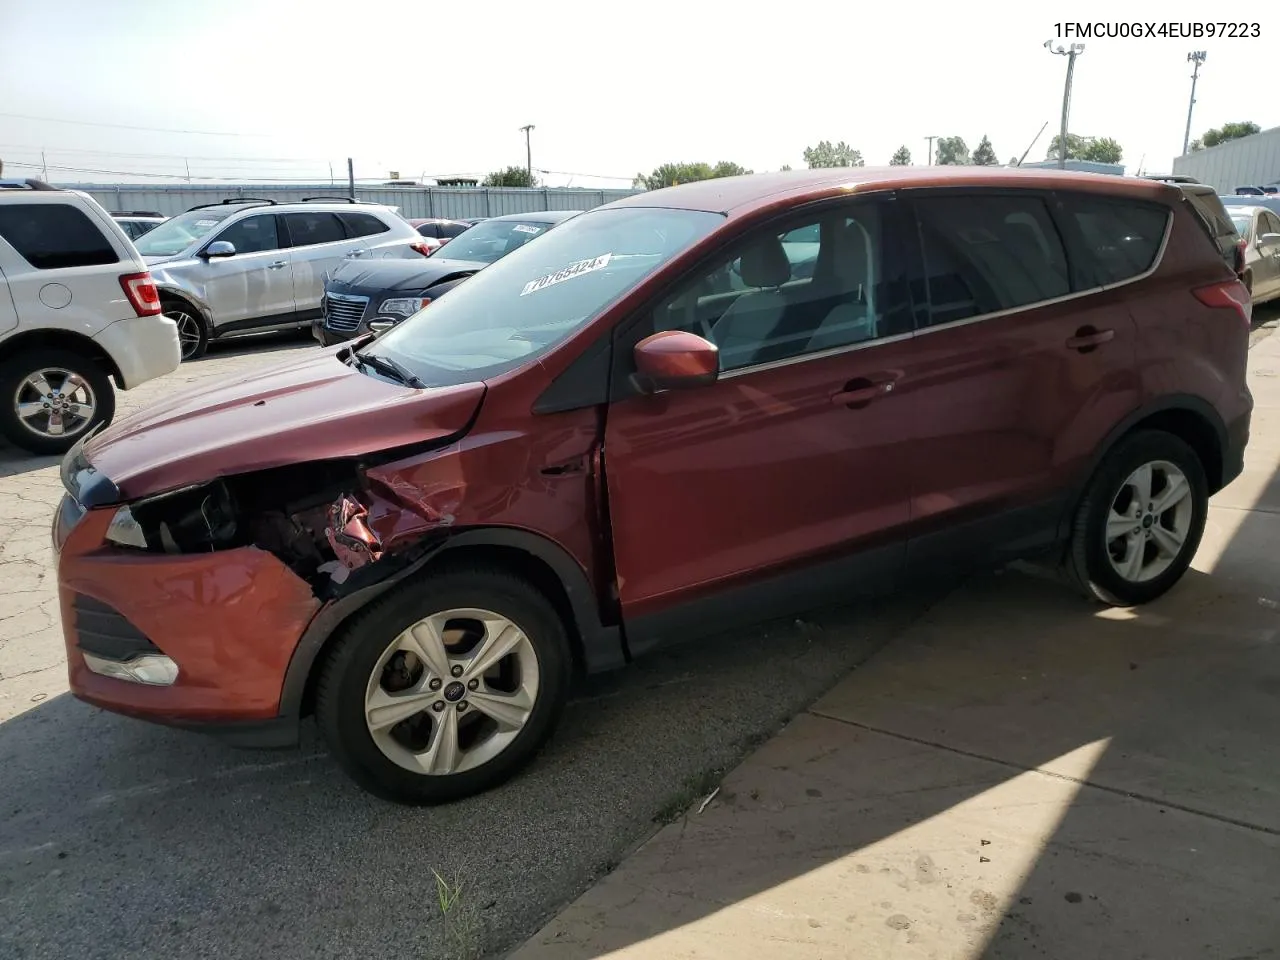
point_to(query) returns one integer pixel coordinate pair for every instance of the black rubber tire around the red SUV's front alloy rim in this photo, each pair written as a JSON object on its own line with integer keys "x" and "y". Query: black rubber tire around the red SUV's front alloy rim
{"x": 348, "y": 670}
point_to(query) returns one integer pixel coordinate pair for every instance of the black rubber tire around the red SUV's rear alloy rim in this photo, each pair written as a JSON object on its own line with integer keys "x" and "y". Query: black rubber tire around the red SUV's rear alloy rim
{"x": 1089, "y": 564}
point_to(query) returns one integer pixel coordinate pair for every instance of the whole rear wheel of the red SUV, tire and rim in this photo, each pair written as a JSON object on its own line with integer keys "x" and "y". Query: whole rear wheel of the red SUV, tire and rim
{"x": 1141, "y": 522}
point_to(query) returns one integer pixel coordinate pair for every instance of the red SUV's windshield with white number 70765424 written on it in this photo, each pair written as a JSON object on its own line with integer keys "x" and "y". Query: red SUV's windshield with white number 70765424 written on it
{"x": 528, "y": 303}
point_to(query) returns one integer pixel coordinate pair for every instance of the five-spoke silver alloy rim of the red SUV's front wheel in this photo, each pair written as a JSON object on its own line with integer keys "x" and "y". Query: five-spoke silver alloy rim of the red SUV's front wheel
{"x": 452, "y": 692}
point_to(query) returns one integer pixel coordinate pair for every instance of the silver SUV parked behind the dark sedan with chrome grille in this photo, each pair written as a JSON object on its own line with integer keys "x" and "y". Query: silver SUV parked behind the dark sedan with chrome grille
{"x": 253, "y": 266}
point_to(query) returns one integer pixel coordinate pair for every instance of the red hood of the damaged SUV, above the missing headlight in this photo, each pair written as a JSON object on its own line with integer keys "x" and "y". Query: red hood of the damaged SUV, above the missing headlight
{"x": 310, "y": 409}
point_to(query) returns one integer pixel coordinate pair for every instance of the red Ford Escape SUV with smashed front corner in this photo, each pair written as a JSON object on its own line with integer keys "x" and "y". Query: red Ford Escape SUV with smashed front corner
{"x": 675, "y": 414}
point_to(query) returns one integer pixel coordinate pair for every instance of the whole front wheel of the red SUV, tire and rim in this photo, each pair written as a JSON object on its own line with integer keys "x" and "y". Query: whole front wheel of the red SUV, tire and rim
{"x": 446, "y": 688}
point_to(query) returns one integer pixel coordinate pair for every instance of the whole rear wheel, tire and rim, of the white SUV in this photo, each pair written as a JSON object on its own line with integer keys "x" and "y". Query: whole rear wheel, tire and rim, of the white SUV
{"x": 52, "y": 397}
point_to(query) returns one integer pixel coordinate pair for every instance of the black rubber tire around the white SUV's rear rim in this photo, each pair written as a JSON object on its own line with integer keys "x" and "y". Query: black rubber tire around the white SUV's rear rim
{"x": 15, "y": 373}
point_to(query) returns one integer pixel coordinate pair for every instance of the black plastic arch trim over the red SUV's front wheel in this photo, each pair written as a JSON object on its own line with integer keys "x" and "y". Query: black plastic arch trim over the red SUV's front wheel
{"x": 602, "y": 647}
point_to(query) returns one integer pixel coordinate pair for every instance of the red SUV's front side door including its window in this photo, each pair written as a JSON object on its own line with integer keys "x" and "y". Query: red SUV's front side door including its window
{"x": 785, "y": 484}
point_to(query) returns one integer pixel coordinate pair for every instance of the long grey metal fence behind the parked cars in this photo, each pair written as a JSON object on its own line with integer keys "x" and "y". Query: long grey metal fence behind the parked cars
{"x": 450, "y": 203}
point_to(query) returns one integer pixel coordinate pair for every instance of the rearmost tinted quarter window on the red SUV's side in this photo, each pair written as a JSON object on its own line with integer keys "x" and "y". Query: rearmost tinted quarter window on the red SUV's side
{"x": 1123, "y": 239}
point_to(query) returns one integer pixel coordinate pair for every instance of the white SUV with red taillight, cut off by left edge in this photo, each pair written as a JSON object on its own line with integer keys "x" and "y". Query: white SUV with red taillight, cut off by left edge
{"x": 77, "y": 309}
